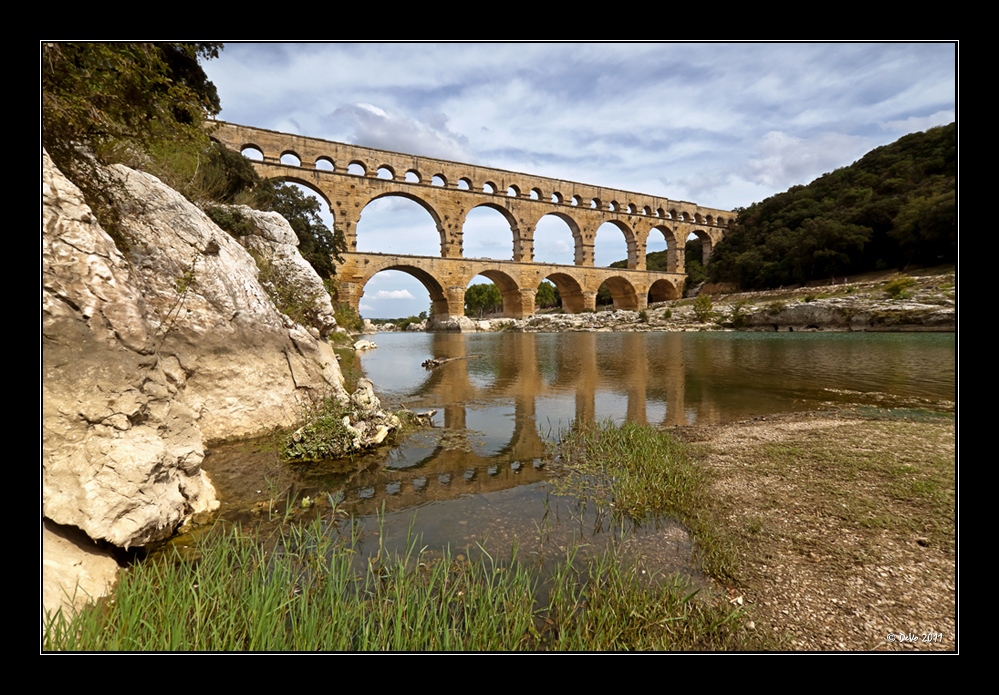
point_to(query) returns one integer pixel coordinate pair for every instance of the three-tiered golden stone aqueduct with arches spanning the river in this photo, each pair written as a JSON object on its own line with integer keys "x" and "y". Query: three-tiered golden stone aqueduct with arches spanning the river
{"x": 448, "y": 191}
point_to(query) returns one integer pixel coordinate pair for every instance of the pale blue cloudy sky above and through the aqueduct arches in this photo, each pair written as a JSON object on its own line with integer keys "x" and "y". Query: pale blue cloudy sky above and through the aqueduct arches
{"x": 721, "y": 125}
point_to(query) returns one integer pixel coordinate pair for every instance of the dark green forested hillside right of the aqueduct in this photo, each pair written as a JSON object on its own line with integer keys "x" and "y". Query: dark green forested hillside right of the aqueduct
{"x": 896, "y": 206}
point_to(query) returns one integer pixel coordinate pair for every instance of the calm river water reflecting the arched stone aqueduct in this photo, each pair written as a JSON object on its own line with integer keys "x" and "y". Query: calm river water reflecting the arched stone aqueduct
{"x": 480, "y": 476}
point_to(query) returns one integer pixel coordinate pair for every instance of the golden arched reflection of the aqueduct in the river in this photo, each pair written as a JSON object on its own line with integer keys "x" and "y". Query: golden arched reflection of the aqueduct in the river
{"x": 491, "y": 437}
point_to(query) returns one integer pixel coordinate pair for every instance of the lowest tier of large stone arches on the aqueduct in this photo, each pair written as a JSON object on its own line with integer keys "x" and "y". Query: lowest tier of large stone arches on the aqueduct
{"x": 446, "y": 279}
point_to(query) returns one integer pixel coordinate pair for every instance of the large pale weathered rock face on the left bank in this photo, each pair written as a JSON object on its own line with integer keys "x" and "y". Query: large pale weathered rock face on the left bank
{"x": 146, "y": 356}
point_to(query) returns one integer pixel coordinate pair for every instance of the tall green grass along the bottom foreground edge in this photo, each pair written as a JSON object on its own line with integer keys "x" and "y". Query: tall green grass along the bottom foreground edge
{"x": 309, "y": 592}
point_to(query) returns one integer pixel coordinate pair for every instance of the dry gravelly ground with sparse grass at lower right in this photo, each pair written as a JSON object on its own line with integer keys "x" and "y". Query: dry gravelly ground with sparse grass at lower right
{"x": 844, "y": 526}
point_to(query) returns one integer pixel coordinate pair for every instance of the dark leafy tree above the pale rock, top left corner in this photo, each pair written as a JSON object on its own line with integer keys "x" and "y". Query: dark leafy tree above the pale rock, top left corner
{"x": 102, "y": 102}
